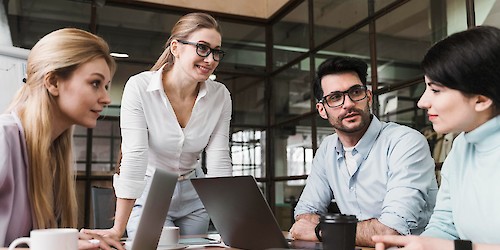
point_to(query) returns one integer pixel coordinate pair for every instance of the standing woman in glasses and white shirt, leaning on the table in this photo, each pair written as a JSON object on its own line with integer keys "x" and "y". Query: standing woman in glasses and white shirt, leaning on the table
{"x": 169, "y": 115}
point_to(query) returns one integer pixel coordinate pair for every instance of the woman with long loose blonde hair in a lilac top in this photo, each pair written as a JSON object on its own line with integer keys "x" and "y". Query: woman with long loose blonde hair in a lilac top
{"x": 68, "y": 74}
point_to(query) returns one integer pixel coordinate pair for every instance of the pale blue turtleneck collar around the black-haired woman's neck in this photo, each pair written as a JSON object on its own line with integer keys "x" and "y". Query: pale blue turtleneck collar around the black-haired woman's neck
{"x": 486, "y": 136}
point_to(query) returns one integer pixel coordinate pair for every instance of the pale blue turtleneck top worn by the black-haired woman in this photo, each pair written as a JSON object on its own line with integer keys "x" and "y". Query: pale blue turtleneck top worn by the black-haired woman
{"x": 468, "y": 201}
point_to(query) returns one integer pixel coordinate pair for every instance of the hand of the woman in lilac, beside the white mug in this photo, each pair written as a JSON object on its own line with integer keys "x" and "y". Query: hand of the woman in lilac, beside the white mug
{"x": 89, "y": 240}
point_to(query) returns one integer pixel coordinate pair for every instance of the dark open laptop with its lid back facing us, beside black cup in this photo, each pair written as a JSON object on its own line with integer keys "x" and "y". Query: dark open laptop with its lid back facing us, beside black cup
{"x": 240, "y": 212}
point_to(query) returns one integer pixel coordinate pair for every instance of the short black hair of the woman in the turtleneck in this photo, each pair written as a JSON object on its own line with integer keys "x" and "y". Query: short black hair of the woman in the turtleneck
{"x": 468, "y": 61}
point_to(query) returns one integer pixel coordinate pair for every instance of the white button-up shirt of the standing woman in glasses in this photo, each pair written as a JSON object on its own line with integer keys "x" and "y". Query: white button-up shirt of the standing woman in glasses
{"x": 152, "y": 137}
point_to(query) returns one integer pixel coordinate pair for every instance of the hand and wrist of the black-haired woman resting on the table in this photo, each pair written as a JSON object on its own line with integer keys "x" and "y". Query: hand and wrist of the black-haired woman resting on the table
{"x": 411, "y": 242}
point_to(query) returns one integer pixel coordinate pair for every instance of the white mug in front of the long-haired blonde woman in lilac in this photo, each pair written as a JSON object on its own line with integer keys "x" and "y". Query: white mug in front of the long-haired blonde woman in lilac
{"x": 53, "y": 238}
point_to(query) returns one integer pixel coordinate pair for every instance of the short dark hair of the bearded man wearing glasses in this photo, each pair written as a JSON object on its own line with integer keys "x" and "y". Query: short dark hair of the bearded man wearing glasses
{"x": 336, "y": 65}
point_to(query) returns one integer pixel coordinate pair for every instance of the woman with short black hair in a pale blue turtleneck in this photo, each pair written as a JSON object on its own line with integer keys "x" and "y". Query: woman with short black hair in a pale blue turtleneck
{"x": 462, "y": 94}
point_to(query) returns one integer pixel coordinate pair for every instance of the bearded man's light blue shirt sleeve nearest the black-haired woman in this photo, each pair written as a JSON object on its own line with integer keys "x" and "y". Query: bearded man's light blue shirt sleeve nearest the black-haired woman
{"x": 411, "y": 185}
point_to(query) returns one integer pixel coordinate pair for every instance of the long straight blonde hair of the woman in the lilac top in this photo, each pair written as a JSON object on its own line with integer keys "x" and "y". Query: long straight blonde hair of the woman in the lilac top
{"x": 51, "y": 180}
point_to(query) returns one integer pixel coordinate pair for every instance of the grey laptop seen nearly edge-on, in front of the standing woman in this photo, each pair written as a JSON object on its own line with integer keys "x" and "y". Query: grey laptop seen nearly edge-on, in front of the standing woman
{"x": 154, "y": 211}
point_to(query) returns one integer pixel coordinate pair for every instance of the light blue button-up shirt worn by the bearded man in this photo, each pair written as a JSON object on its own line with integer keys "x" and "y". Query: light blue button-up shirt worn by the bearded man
{"x": 394, "y": 180}
